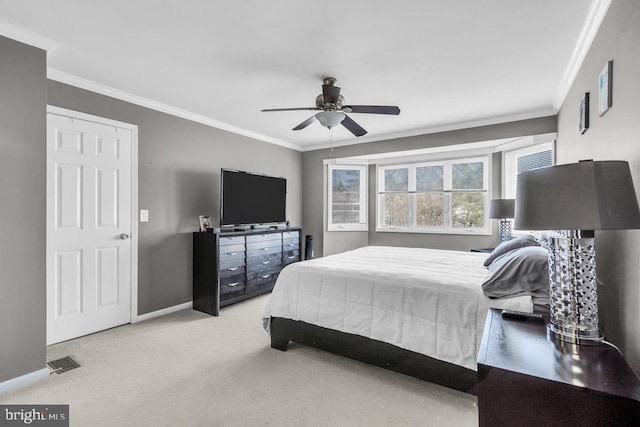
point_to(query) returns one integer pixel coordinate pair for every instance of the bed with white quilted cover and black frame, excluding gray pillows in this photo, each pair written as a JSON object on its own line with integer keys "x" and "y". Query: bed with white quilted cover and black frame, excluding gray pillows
{"x": 416, "y": 311}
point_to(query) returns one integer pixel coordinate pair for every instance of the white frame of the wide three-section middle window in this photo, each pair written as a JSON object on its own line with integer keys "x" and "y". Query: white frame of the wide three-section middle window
{"x": 447, "y": 191}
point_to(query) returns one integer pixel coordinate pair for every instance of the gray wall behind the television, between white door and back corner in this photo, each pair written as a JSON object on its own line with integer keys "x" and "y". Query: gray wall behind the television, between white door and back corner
{"x": 179, "y": 165}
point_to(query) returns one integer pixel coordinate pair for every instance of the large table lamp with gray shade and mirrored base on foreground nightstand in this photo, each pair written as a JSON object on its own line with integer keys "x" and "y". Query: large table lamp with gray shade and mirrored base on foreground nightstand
{"x": 573, "y": 200}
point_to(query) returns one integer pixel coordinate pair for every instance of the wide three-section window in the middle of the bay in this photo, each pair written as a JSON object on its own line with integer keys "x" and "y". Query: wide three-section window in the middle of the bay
{"x": 447, "y": 196}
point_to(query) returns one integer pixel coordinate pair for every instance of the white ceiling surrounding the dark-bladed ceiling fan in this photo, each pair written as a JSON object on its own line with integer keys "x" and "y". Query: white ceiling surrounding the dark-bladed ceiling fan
{"x": 446, "y": 63}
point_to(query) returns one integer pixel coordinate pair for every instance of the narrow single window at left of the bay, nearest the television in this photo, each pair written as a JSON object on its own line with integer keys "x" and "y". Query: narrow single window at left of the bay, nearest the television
{"x": 347, "y": 198}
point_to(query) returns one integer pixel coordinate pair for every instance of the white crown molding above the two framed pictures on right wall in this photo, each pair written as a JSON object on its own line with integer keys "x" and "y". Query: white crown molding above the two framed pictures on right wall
{"x": 595, "y": 16}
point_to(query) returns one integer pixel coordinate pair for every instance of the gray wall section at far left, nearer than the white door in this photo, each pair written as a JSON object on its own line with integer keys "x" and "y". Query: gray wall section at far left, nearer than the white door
{"x": 22, "y": 210}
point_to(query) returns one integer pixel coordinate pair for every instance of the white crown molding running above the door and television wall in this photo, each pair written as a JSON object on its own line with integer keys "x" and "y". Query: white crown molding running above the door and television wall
{"x": 81, "y": 83}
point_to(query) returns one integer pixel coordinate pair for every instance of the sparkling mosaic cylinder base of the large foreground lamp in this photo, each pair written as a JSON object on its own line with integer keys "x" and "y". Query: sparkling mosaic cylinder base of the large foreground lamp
{"x": 572, "y": 288}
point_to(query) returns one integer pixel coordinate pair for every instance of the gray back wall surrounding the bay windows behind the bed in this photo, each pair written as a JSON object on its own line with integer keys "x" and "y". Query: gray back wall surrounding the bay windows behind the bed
{"x": 313, "y": 184}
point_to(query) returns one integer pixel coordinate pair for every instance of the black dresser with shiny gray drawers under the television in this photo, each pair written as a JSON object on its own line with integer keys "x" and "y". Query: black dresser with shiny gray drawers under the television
{"x": 232, "y": 266}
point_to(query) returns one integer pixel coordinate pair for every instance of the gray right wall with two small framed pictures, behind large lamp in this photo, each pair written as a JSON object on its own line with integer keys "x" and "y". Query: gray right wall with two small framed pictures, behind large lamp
{"x": 614, "y": 136}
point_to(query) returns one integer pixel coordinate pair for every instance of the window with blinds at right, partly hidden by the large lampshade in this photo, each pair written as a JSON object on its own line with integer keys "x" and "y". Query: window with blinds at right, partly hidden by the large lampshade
{"x": 524, "y": 159}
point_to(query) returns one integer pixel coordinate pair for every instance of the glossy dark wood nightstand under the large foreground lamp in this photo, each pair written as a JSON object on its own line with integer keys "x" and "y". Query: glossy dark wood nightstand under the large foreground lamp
{"x": 524, "y": 378}
